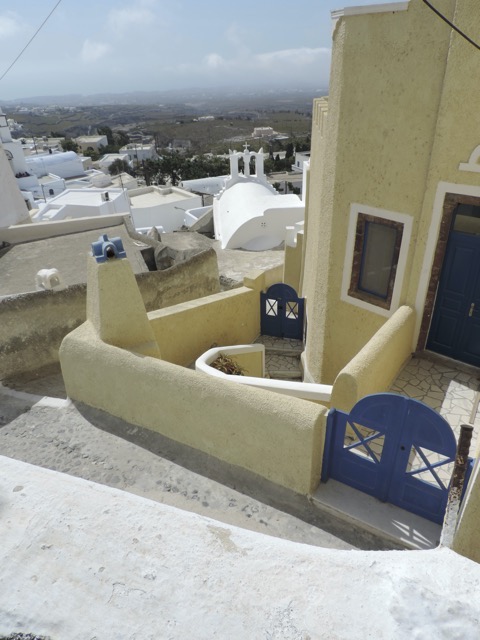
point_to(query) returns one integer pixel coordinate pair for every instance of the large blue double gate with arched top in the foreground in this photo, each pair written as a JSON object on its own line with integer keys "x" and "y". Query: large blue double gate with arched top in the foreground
{"x": 394, "y": 448}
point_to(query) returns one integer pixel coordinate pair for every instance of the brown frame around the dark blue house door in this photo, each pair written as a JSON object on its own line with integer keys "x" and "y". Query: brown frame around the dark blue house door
{"x": 449, "y": 205}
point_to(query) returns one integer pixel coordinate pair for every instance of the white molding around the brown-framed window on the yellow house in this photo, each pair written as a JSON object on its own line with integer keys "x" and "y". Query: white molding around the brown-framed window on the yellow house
{"x": 395, "y": 216}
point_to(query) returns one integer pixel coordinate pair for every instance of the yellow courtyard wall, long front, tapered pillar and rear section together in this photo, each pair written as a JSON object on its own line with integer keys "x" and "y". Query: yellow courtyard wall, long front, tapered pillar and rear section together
{"x": 277, "y": 437}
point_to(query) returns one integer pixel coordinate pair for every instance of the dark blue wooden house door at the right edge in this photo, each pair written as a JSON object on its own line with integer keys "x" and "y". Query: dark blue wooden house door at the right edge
{"x": 455, "y": 328}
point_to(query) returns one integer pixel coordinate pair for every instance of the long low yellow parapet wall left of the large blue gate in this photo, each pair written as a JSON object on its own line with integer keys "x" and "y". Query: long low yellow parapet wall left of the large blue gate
{"x": 277, "y": 437}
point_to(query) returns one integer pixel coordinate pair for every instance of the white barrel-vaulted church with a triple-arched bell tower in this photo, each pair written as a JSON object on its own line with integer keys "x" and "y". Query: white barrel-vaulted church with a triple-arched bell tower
{"x": 249, "y": 213}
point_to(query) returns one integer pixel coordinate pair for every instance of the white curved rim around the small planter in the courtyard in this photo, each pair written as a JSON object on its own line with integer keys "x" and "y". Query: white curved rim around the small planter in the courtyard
{"x": 304, "y": 390}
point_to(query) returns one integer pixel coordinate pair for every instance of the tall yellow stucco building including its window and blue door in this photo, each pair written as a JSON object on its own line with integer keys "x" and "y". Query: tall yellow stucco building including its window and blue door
{"x": 395, "y": 150}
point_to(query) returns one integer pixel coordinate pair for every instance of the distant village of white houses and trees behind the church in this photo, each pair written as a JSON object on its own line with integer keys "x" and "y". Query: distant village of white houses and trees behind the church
{"x": 115, "y": 172}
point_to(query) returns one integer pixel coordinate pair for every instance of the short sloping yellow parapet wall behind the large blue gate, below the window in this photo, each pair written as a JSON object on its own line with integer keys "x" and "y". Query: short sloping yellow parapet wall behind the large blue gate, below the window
{"x": 375, "y": 366}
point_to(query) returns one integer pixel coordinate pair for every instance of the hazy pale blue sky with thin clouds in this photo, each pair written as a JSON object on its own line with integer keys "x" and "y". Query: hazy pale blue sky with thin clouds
{"x": 94, "y": 46}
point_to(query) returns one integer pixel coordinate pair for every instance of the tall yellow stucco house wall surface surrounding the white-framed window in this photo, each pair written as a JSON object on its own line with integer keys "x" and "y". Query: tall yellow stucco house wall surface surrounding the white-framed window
{"x": 400, "y": 120}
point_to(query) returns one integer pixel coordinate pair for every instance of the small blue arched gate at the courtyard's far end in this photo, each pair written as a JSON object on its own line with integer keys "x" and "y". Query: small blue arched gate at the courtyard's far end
{"x": 281, "y": 312}
